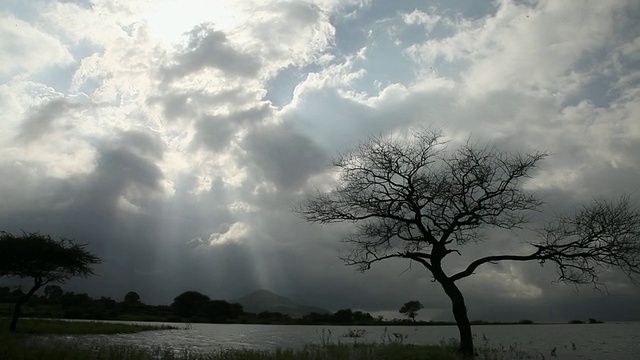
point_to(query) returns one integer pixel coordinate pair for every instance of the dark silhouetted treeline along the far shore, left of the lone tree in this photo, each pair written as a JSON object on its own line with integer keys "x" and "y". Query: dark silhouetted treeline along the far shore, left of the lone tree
{"x": 190, "y": 306}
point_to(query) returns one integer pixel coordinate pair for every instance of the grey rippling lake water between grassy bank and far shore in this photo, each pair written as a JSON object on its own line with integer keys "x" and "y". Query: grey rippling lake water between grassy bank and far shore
{"x": 580, "y": 341}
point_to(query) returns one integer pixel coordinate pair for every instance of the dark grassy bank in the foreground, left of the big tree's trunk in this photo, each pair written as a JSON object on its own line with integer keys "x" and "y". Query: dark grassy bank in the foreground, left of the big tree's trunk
{"x": 44, "y": 339}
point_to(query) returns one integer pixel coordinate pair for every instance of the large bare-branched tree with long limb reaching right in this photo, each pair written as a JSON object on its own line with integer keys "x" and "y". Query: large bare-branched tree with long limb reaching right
{"x": 415, "y": 199}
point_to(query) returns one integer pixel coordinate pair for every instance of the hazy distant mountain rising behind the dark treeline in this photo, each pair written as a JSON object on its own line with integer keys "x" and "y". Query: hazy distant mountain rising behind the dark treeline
{"x": 264, "y": 300}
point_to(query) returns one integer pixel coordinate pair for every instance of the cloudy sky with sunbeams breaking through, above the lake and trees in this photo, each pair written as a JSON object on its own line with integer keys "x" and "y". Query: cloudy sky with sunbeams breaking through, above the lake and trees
{"x": 173, "y": 137}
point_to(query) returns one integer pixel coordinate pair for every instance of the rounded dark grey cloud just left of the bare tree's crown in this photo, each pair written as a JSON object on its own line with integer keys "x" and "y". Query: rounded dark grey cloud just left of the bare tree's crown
{"x": 286, "y": 157}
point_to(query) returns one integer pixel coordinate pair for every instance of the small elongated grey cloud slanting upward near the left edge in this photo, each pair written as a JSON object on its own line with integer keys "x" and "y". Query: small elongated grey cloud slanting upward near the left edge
{"x": 40, "y": 120}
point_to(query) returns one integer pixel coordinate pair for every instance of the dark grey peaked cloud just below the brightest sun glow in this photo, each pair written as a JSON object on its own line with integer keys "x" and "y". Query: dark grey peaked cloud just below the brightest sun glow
{"x": 209, "y": 48}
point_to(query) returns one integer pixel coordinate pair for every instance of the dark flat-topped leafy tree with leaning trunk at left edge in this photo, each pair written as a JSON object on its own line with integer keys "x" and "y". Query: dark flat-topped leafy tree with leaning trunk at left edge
{"x": 43, "y": 259}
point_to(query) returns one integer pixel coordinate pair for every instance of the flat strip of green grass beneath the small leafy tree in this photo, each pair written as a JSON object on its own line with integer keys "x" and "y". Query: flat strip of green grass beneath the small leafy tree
{"x": 64, "y": 327}
